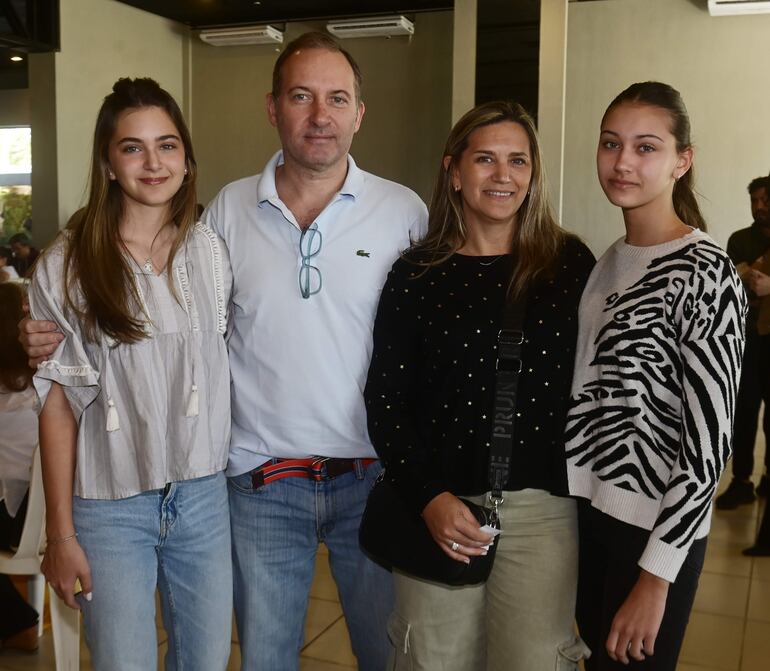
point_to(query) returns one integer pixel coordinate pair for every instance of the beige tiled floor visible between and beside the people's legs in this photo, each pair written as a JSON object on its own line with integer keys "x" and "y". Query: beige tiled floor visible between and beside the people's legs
{"x": 729, "y": 628}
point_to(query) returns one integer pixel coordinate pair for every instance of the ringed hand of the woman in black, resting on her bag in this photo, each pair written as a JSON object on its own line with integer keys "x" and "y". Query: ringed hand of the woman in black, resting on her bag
{"x": 453, "y": 525}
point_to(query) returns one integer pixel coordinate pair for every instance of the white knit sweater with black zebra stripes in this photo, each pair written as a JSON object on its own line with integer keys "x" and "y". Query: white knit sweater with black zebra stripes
{"x": 658, "y": 361}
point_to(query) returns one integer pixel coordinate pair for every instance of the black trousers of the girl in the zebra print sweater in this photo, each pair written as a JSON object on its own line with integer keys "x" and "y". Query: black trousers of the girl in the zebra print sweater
{"x": 609, "y": 552}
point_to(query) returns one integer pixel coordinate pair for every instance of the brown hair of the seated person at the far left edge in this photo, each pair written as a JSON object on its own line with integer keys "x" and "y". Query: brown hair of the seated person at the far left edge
{"x": 15, "y": 373}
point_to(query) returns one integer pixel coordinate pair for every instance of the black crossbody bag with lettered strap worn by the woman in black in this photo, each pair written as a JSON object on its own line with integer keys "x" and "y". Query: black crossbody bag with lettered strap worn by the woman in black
{"x": 396, "y": 537}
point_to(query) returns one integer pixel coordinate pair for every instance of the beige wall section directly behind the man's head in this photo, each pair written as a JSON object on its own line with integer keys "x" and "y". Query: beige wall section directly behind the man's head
{"x": 407, "y": 92}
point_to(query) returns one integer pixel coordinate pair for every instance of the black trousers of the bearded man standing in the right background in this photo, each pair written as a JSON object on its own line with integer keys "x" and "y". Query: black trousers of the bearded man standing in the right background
{"x": 754, "y": 388}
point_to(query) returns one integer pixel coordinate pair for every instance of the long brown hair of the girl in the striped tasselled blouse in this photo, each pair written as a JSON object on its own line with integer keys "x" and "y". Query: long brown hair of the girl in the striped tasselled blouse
{"x": 96, "y": 259}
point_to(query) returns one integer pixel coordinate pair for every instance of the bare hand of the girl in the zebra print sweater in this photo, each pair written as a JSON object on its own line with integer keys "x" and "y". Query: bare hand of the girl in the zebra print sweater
{"x": 636, "y": 624}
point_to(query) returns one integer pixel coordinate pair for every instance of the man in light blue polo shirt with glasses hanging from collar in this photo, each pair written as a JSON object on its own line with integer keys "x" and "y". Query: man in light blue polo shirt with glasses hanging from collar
{"x": 311, "y": 240}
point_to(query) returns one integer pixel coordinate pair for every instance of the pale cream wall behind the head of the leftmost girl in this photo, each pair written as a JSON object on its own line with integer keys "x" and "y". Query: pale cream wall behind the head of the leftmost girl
{"x": 101, "y": 40}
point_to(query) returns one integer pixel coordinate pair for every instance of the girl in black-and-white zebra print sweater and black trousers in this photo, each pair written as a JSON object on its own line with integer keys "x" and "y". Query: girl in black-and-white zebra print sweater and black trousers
{"x": 657, "y": 368}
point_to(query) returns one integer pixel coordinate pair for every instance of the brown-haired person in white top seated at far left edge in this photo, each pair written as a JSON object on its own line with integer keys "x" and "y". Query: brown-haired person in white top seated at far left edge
{"x": 18, "y": 439}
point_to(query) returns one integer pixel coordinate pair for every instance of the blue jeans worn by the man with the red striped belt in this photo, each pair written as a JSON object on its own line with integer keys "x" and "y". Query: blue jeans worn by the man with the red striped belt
{"x": 276, "y": 530}
